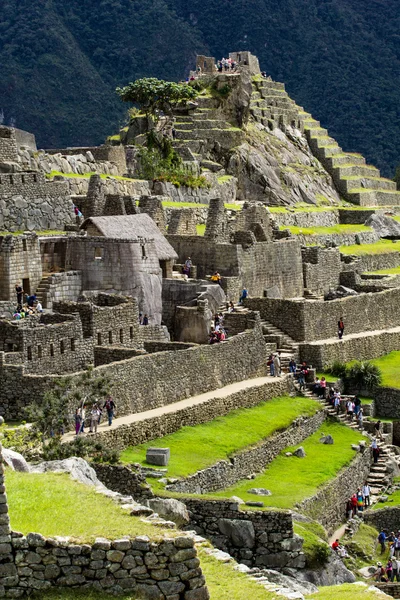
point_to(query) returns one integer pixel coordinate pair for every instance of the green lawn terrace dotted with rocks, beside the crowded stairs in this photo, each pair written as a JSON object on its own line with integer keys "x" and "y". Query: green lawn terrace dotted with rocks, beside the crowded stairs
{"x": 292, "y": 479}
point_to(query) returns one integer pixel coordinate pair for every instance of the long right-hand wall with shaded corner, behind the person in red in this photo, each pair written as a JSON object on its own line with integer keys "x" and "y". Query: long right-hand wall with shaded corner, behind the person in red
{"x": 309, "y": 320}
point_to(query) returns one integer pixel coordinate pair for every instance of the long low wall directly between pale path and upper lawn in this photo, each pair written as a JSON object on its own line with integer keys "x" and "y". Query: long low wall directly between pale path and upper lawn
{"x": 150, "y": 429}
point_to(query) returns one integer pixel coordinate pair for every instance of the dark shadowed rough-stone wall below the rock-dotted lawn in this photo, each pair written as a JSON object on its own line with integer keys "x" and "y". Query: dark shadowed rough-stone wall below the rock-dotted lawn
{"x": 255, "y": 538}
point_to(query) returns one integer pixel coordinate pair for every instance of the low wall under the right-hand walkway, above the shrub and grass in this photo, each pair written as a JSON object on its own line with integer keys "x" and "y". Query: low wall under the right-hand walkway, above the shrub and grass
{"x": 365, "y": 347}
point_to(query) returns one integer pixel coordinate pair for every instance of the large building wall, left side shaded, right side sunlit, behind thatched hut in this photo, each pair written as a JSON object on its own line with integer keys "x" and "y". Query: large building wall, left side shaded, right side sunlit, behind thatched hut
{"x": 263, "y": 265}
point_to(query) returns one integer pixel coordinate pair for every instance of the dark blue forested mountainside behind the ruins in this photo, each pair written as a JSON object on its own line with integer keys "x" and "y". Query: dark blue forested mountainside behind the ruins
{"x": 60, "y": 61}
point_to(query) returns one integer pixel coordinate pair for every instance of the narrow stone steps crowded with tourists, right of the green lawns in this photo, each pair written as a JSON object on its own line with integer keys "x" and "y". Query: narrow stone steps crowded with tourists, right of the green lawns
{"x": 379, "y": 477}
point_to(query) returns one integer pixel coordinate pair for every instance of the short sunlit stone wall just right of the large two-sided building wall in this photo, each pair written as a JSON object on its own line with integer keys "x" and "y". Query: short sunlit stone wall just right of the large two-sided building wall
{"x": 321, "y": 269}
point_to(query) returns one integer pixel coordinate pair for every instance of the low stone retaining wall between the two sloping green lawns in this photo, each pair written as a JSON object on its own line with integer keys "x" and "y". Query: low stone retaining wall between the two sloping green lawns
{"x": 254, "y": 460}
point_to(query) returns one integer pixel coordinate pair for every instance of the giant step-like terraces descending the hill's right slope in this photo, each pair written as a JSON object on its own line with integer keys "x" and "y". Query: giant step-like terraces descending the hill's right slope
{"x": 356, "y": 181}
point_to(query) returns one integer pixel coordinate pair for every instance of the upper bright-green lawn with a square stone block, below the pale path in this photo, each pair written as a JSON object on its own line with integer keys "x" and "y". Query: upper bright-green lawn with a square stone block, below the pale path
{"x": 194, "y": 448}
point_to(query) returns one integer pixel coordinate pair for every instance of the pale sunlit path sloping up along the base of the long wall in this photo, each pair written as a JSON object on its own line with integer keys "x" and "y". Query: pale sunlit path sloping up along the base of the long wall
{"x": 176, "y": 406}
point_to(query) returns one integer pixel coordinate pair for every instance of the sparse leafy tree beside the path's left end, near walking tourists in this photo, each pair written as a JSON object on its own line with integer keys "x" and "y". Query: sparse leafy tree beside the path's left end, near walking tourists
{"x": 55, "y": 412}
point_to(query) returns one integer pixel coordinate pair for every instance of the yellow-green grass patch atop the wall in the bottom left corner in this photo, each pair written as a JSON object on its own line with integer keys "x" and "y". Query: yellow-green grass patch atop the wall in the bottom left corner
{"x": 54, "y": 504}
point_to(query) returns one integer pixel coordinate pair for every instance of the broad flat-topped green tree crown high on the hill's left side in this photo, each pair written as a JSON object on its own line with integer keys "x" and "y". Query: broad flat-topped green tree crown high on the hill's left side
{"x": 152, "y": 94}
